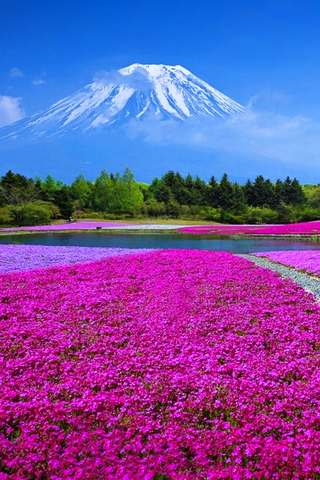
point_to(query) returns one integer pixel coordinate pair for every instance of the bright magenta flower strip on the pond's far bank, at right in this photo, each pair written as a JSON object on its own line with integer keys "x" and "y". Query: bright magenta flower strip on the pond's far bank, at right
{"x": 308, "y": 228}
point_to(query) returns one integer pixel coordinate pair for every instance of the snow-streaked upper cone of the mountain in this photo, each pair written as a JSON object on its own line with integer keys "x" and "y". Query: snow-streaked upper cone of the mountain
{"x": 135, "y": 92}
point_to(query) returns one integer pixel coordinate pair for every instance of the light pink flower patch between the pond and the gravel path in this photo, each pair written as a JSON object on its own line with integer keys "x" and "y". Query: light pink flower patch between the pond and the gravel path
{"x": 305, "y": 260}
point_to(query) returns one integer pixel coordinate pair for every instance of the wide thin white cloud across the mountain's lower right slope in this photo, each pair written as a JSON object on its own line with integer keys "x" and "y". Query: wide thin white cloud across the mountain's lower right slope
{"x": 255, "y": 134}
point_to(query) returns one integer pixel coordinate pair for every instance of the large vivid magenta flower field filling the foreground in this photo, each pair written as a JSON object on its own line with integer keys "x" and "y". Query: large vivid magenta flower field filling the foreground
{"x": 169, "y": 365}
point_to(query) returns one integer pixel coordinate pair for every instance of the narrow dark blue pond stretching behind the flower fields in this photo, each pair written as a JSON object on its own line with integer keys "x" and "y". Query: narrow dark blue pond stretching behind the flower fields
{"x": 175, "y": 241}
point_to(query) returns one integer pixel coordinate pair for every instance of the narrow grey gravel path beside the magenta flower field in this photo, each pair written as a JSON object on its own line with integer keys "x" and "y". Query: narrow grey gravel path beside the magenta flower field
{"x": 308, "y": 282}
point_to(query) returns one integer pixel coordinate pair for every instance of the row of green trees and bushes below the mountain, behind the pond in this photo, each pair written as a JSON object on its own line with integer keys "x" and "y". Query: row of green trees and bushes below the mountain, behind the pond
{"x": 26, "y": 201}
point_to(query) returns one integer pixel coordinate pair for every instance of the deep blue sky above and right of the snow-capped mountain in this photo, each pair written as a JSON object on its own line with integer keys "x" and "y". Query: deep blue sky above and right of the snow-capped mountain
{"x": 261, "y": 53}
